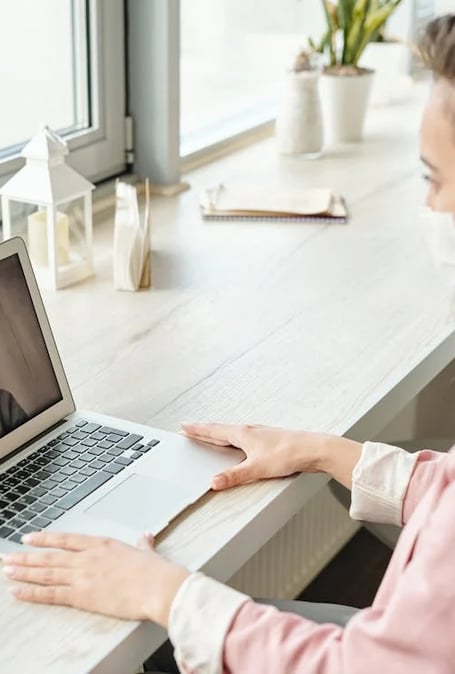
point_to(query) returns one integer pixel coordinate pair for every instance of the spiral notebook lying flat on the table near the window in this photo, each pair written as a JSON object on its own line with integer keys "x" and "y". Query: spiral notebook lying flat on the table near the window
{"x": 289, "y": 205}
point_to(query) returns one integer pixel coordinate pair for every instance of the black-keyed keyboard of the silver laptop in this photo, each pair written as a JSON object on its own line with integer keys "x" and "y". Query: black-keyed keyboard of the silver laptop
{"x": 56, "y": 477}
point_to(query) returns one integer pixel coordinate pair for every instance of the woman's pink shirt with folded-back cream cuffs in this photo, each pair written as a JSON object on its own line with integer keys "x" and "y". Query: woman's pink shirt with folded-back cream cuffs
{"x": 409, "y": 629}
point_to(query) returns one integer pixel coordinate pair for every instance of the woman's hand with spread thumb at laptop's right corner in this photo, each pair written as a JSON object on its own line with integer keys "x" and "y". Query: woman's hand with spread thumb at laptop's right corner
{"x": 276, "y": 452}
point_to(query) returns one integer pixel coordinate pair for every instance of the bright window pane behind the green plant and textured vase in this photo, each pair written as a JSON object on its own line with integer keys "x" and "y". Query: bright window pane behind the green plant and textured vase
{"x": 234, "y": 54}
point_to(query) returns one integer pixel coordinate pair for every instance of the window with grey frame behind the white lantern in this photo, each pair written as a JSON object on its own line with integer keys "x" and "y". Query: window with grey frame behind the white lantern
{"x": 62, "y": 64}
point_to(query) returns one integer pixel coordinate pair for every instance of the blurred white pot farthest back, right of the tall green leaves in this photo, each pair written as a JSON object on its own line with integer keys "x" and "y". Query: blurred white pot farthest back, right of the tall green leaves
{"x": 391, "y": 62}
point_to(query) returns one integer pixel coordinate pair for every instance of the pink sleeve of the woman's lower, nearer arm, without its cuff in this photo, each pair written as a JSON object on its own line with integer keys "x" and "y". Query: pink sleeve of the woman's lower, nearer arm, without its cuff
{"x": 413, "y": 633}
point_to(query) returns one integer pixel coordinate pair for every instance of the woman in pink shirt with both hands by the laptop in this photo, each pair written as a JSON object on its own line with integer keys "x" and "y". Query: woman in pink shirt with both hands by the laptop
{"x": 409, "y": 627}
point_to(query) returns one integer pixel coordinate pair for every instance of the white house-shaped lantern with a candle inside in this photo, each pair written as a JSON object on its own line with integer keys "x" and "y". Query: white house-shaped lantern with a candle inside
{"x": 60, "y": 252}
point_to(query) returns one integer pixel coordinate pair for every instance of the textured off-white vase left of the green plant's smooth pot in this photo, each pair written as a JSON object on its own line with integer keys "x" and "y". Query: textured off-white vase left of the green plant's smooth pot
{"x": 299, "y": 122}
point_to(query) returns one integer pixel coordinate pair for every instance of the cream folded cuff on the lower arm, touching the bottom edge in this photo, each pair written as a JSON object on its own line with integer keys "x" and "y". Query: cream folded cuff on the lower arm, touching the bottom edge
{"x": 200, "y": 616}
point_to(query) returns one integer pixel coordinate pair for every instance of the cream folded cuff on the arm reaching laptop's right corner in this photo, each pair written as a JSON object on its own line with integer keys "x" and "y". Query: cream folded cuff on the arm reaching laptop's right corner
{"x": 379, "y": 482}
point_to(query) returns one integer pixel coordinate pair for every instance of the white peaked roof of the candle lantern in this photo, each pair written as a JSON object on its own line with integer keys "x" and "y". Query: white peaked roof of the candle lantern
{"x": 46, "y": 178}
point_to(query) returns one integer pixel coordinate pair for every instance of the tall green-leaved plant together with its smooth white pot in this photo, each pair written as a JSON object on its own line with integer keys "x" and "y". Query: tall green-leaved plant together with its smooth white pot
{"x": 351, "y": 25}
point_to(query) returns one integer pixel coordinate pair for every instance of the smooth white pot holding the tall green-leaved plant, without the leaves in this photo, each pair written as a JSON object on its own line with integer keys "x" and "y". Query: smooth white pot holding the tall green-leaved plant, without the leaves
{"x": 344, "y": 105}
